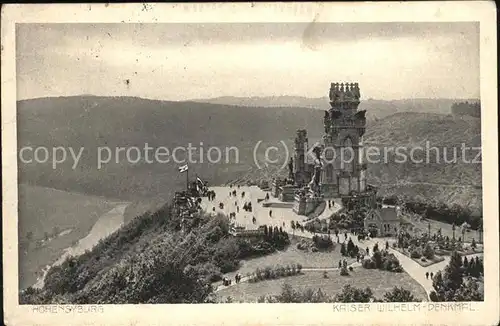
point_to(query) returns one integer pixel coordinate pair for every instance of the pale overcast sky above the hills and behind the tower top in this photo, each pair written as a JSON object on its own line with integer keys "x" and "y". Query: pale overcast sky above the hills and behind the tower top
{"x": 187, "y": 61}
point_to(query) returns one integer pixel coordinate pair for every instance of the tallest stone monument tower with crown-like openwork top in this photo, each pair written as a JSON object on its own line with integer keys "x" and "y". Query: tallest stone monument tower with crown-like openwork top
{"x": 343, "y": 168}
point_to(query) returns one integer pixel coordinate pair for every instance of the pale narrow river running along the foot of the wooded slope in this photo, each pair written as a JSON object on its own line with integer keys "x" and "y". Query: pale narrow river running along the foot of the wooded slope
{"x": 105, "y": 225}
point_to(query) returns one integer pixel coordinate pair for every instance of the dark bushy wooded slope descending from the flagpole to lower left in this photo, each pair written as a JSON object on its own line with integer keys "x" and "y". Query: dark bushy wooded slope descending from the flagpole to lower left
{"x": 153, "y": 259}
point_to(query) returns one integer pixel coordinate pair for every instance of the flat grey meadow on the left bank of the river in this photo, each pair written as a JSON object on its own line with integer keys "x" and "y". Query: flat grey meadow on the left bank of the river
{"x": 42, "y": 209}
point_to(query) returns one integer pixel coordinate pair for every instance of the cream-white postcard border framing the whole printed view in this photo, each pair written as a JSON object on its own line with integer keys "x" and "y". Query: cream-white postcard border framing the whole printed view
{"x": 486, "y": 312}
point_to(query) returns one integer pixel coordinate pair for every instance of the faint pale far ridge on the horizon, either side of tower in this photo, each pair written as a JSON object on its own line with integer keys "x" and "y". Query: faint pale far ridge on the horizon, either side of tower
{"x": 375, "y": 108}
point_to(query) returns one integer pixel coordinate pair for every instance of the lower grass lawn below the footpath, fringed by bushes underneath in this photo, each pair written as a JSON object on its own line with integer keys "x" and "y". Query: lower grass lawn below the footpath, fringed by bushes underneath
{"x": 379, "y": 281}
